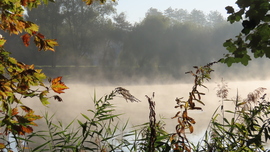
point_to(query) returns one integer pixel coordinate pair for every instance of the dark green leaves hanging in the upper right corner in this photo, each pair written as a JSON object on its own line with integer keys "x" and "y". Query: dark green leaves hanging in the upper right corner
{"x": 254, "y": 36}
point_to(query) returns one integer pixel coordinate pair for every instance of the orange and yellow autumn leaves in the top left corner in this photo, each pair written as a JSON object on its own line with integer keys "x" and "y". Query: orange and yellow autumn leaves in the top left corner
{"x": 13, "y": 21}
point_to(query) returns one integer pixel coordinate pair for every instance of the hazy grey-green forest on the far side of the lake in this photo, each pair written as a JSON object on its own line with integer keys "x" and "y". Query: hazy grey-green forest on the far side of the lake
{"x": 95, "y": 39}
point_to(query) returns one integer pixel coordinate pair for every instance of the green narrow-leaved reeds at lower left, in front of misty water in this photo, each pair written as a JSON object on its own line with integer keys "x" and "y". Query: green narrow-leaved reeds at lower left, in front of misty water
{"x": 97, "y": 133}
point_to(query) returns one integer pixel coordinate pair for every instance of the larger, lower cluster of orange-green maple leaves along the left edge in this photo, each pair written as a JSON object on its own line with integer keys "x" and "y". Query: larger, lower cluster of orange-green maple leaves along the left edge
{"x": 19, "y": 81}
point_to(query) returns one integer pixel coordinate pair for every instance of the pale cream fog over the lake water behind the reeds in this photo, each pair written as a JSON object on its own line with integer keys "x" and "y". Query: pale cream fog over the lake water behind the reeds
{"x": 79, "y": 98}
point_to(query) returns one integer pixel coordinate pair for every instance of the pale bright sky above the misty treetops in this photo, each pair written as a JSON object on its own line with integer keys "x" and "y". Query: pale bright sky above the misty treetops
{"x": 136, "y": 9}
